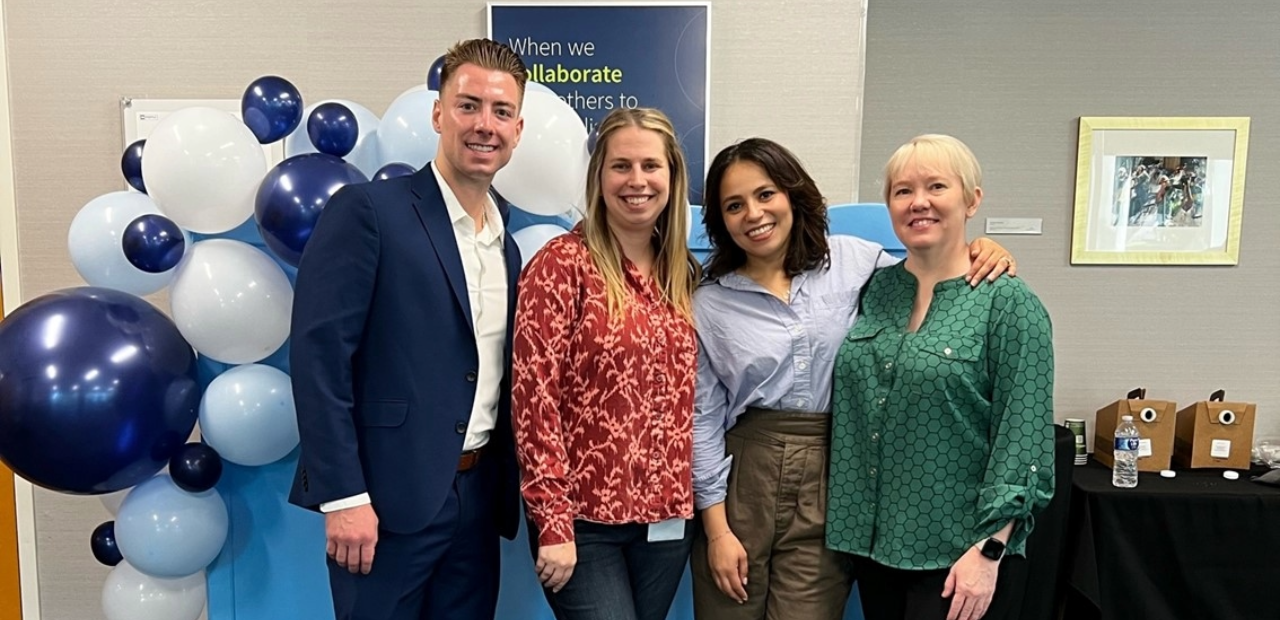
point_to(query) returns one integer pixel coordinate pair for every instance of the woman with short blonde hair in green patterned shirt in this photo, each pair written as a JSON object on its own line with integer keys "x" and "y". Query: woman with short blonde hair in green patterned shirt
{"x": 943, "y": 411}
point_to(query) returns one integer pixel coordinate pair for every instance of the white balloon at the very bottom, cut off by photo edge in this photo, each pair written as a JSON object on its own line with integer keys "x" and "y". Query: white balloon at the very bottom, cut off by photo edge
{"x": 131, "y": 595}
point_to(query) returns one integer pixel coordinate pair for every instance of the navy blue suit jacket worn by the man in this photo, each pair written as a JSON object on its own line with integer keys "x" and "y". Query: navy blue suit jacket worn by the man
{"x": 385, "y": 361}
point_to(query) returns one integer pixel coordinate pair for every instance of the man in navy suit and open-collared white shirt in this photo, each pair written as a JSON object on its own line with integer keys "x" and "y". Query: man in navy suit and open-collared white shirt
{"x": 401, "y": 361}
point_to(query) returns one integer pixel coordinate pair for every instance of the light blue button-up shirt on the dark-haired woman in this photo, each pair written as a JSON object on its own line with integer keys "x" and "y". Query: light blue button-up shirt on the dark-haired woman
{"x": 757, "y": 352}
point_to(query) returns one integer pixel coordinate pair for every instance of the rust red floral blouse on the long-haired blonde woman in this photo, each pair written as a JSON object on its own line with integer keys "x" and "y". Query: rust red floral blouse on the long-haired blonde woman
{"x": 604, "y": 409}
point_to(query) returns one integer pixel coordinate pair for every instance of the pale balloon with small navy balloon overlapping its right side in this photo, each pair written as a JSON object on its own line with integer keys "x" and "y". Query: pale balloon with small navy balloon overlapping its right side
{"x": 95, "y": 244}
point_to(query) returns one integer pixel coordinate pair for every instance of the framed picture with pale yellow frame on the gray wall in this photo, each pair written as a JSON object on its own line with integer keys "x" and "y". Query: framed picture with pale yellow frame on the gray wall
{"x": 1160, "y": 192}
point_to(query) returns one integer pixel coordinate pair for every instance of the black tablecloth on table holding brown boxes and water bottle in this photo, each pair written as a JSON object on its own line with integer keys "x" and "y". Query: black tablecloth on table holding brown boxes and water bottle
{"x": 1197, "y": 546}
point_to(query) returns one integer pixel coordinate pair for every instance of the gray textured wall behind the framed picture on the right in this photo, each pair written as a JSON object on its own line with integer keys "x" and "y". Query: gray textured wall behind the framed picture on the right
{"x": 1012, "y": 79}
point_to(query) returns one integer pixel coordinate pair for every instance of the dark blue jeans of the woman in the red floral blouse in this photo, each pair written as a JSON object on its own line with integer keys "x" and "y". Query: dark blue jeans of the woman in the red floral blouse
{"x": 620, "y": 575}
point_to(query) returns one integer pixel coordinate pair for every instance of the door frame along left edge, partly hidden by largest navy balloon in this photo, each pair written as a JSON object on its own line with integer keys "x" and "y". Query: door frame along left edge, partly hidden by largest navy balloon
{"x": 19, "y": 573}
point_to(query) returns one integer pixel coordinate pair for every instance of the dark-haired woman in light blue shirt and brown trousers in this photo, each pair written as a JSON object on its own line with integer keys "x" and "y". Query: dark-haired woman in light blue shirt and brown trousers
{"x": 779, "y": 299}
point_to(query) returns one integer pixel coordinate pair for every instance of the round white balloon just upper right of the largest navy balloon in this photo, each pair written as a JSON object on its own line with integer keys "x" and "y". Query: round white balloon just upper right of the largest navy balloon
{"x": 231, "y": 302}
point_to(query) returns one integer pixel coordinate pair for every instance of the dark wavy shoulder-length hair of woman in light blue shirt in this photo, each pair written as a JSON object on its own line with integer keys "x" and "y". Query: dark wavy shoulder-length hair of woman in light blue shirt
{"x": 807, "y": 245}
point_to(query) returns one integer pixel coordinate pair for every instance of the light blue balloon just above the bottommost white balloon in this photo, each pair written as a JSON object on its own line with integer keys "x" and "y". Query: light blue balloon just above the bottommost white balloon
{"x": 167, "y": 532}
